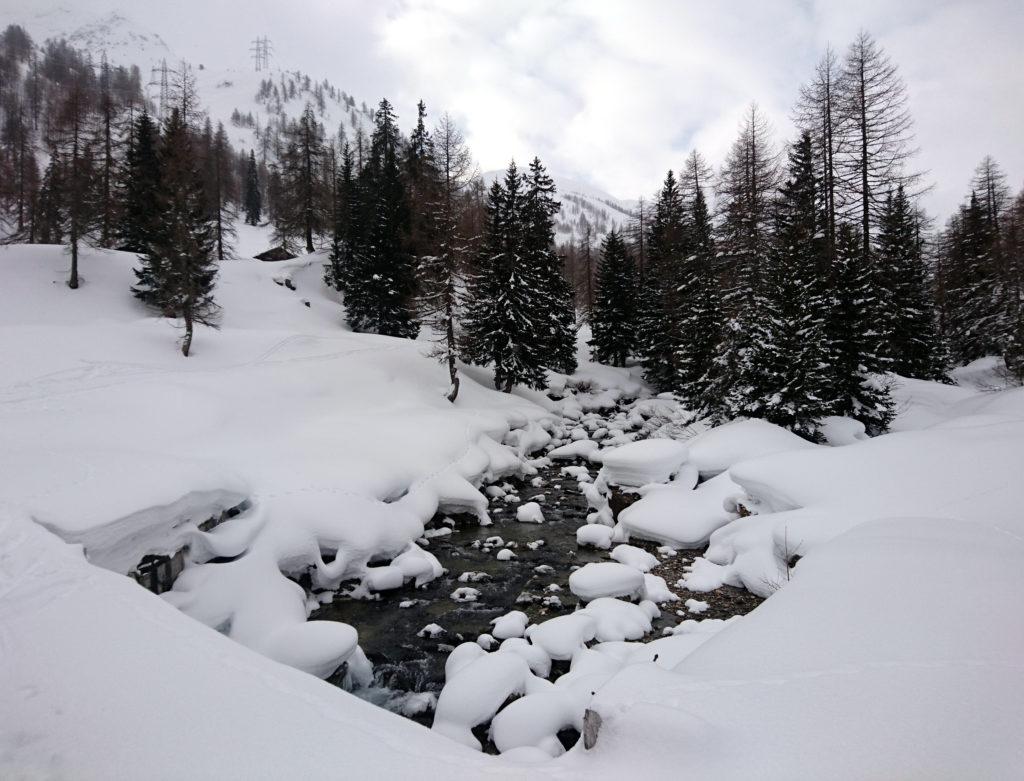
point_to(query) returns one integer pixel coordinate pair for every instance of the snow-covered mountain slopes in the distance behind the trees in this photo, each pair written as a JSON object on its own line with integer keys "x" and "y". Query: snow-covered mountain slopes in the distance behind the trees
{"x": 247, "y": 101}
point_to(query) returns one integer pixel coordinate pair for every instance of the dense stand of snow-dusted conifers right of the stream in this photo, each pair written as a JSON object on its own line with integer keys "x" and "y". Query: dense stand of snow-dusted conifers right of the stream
{"x": 815, "y": 277}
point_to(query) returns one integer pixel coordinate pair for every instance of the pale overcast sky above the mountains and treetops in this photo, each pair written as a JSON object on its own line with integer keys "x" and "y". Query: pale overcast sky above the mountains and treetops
{"x": 615, "y": 94}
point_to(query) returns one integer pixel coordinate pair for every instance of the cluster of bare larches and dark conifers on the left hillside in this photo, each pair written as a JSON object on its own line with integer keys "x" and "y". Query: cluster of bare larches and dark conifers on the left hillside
{"x": 83, "y": 161}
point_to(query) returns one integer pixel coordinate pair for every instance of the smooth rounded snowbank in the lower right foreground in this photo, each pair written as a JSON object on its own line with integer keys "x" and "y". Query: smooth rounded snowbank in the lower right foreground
{"x": 869, "y": 626}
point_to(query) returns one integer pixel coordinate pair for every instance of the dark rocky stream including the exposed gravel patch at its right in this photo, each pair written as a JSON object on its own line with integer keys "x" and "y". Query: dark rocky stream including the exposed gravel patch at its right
{"x": 409, "y": 665}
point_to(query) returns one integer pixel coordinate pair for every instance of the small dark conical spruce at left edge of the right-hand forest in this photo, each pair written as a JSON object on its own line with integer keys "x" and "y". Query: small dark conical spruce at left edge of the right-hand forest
{"x": 614, "y": 324}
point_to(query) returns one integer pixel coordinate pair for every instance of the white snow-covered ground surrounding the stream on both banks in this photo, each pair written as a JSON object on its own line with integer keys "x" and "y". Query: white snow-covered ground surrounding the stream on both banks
{"x": 891, "y": 645}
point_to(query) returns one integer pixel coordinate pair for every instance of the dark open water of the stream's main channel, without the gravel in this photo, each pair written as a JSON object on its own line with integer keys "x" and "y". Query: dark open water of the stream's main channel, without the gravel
{"x": 389, "y": 633}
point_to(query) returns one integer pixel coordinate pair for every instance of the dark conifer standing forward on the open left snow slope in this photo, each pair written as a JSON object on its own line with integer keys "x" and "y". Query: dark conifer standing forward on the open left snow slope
{"x": 183, "y": 250}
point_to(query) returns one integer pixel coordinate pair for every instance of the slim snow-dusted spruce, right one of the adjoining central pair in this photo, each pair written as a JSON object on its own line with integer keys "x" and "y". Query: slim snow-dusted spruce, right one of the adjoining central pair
{"x": 554, "y": 309}
